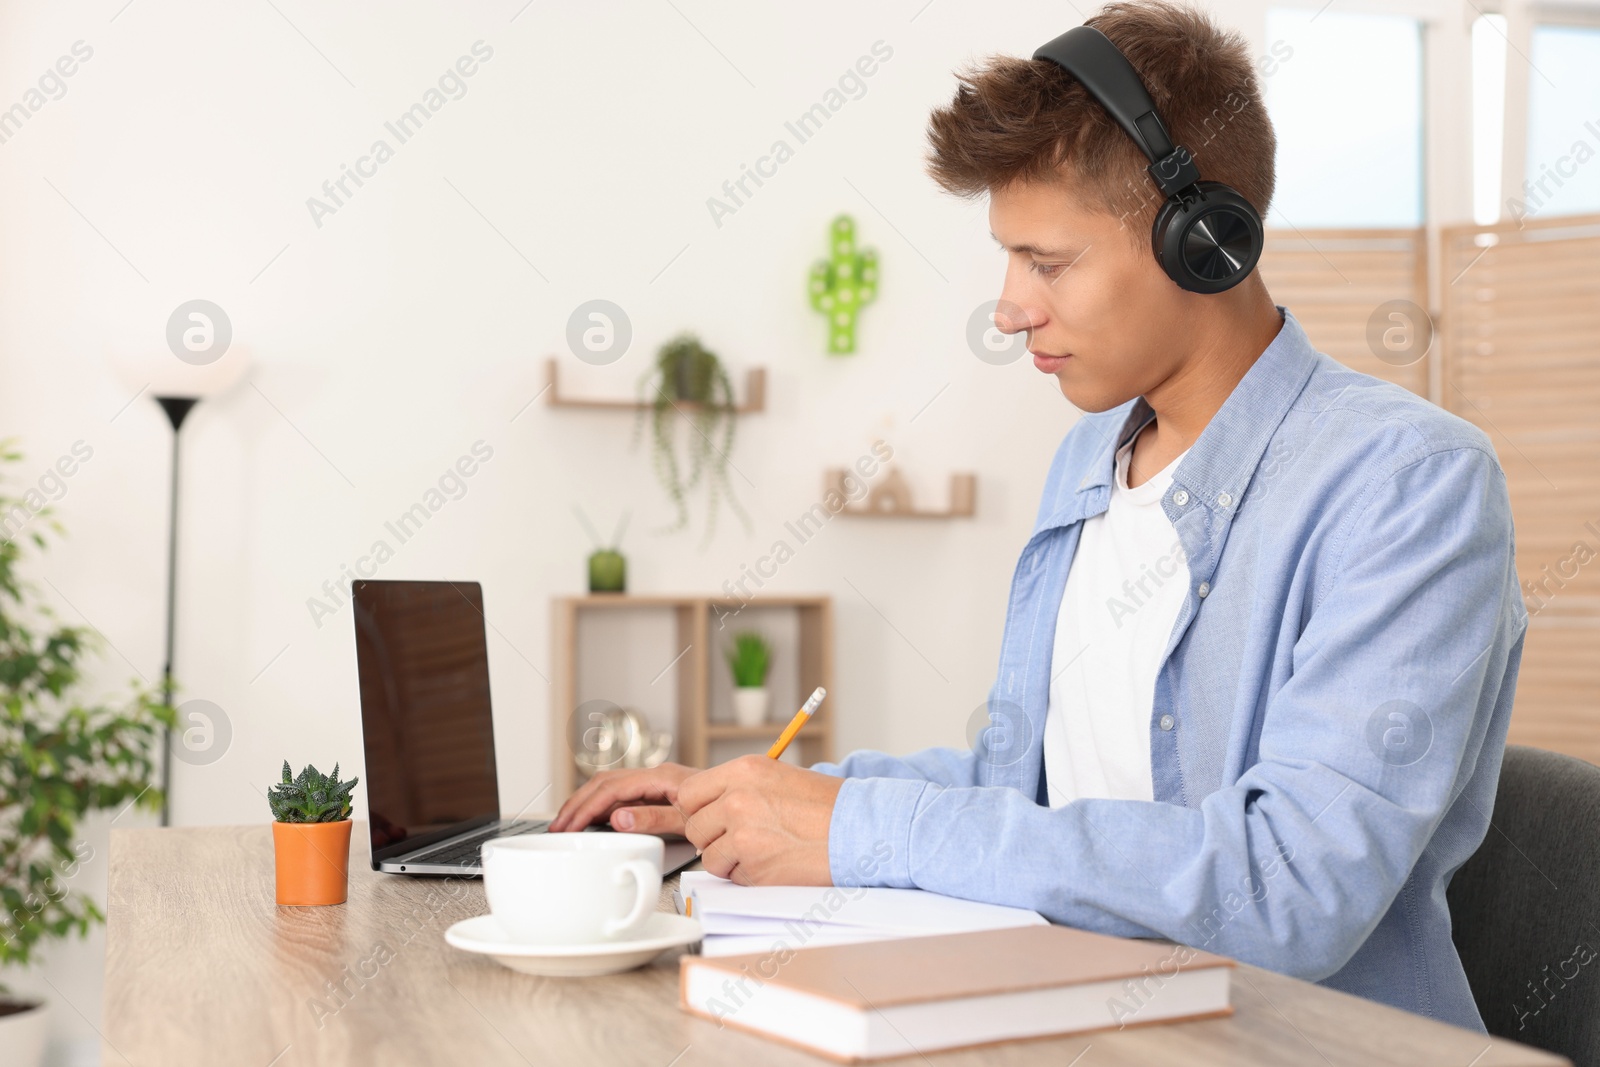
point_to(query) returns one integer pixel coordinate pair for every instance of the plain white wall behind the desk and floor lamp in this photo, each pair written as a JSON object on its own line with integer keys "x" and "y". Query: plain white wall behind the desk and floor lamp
{"x": 407, "y": 327}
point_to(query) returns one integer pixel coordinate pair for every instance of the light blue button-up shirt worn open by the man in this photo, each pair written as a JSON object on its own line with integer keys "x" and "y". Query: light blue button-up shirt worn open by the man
{"x": 1330, "y": 713}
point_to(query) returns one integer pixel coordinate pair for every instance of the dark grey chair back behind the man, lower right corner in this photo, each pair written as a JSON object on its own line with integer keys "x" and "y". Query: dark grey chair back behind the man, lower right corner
{"x": 1526, "y": 909}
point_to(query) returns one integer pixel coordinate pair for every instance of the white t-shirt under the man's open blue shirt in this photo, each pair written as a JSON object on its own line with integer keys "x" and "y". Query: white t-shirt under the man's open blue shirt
{"x": 1127, "y": 583}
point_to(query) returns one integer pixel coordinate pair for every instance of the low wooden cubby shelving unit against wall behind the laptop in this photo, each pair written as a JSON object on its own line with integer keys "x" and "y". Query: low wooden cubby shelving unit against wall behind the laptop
{"x": 663, "y": 657}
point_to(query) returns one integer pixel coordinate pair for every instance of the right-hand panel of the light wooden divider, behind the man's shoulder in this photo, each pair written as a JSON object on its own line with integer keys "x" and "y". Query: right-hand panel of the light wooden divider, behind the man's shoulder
{"x": 1522, "y": 361}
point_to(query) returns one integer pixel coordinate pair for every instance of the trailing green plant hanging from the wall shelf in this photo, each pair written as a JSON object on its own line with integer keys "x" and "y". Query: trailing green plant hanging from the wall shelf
{"x": 689, "y": 385}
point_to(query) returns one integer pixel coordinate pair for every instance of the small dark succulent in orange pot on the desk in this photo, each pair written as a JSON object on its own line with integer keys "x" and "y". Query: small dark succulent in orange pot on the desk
{"x": 311, "y": 836}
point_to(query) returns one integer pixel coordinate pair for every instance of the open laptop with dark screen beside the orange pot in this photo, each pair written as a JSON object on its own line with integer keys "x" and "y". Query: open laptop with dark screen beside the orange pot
{"x": 431, "y": 783}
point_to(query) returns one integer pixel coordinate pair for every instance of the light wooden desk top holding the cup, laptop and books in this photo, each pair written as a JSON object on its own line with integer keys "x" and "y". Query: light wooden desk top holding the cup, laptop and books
{"x": 204, "y": 969}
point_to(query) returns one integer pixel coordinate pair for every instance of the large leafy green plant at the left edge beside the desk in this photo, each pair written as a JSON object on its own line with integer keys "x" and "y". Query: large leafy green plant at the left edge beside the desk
{"x": 60, "y": 757}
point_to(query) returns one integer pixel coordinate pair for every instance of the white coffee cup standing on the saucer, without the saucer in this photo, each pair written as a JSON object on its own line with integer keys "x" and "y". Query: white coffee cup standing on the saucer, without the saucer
{"x": 574, "y": 889}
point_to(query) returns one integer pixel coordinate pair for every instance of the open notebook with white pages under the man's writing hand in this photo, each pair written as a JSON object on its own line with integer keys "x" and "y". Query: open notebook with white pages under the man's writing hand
{"x": 756, "y": 919}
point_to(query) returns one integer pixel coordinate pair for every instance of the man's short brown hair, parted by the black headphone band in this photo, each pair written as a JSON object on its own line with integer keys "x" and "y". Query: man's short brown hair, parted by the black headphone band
{"x": 1017, "y": 121}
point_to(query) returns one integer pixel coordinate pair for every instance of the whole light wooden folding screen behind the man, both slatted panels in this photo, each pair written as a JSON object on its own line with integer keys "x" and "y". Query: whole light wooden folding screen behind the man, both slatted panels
{"x": 1518, "y": 353}
